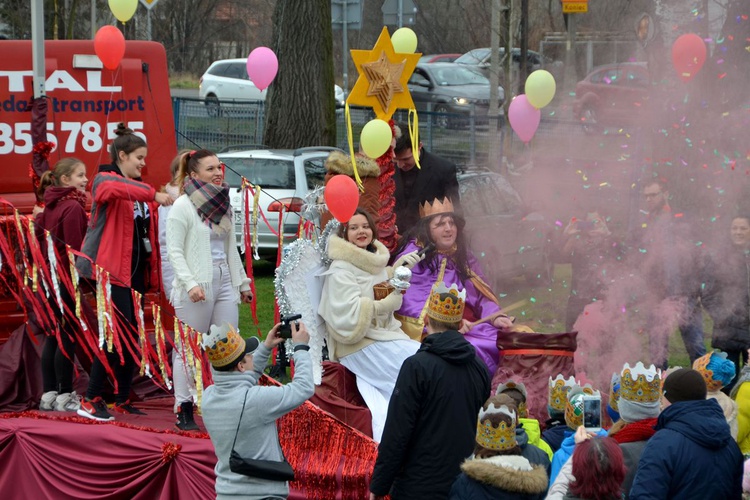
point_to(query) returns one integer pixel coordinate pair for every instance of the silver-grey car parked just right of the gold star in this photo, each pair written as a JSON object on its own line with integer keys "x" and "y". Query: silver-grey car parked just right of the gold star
{"x": 452, "y": 92}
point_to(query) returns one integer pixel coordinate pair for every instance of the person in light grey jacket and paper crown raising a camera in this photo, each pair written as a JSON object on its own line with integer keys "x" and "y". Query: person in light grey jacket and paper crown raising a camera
{"x": 240, "y": 415}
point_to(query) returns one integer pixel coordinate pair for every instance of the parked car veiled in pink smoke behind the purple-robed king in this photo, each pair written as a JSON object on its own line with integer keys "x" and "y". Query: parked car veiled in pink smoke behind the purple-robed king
{"x": 507, "y": 237}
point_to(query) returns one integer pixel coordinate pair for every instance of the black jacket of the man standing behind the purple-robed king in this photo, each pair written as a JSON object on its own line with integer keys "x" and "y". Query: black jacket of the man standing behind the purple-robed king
{"x": 436, "y": 179}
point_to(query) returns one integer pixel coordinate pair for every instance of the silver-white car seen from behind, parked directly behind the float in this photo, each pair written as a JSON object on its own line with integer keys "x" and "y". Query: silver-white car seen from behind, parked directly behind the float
{"x": 285, "y": 176}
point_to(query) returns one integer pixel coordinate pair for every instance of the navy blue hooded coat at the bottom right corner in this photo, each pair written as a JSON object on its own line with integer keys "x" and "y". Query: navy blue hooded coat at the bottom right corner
{"x": 691, "y": 456}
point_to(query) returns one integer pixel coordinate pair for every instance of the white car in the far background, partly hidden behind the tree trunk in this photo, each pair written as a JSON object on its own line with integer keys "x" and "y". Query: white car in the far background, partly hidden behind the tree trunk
{"x": 226, "y": 80}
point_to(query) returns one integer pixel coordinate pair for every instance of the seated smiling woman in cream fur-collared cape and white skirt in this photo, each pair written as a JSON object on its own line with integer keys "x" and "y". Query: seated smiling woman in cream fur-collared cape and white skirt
{"x": 362, "y": 333}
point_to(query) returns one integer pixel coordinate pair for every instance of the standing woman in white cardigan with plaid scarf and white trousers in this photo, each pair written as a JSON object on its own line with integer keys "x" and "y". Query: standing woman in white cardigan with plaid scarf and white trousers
{"x": 209, "y": 280}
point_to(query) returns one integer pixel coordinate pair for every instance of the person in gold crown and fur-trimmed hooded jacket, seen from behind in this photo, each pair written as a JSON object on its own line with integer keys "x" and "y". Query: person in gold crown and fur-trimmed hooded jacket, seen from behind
{"x": 499, "y": 468}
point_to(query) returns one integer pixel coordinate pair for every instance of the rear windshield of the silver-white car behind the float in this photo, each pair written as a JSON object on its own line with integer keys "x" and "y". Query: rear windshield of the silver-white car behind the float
{"x": 268, "y": 173}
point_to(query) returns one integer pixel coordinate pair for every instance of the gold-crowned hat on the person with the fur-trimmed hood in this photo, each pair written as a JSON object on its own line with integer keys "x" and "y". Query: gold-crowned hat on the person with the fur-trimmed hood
{"x": 496, "y": 425}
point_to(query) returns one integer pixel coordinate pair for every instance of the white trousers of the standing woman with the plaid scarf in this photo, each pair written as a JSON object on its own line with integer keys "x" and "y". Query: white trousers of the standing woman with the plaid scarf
{"x": 200, "y": 316}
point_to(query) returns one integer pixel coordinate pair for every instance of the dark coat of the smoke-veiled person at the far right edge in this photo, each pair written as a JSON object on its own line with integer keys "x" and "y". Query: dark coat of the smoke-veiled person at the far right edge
{"x": 726, "y": 297}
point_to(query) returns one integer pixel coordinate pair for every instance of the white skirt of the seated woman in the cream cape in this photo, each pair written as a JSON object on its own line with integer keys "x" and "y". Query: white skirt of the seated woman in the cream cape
{"x": 376, "y": 367}
